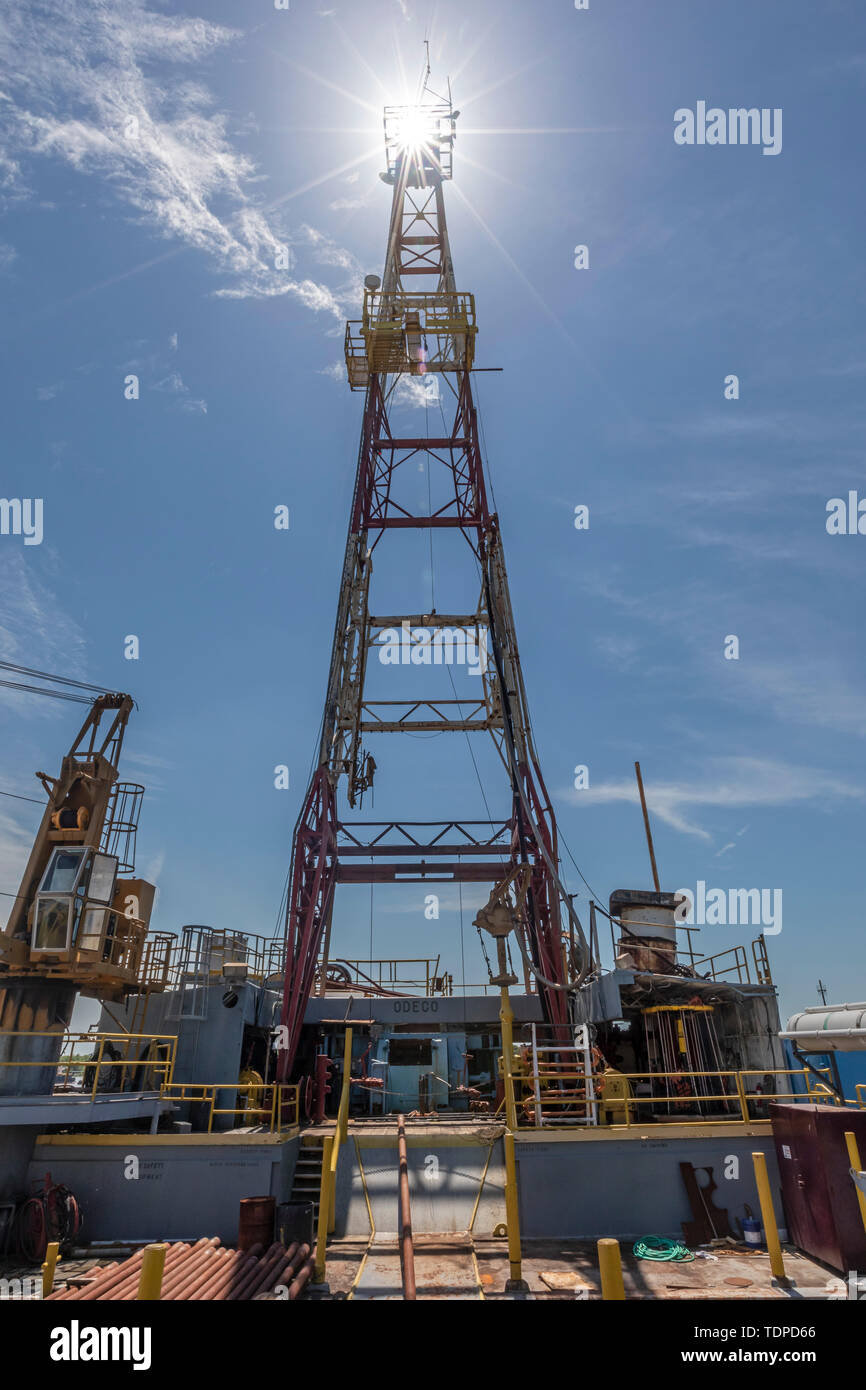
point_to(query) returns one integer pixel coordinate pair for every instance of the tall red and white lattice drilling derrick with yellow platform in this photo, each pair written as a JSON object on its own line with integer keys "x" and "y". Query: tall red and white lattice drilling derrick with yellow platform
{"x": 416, "y": 325}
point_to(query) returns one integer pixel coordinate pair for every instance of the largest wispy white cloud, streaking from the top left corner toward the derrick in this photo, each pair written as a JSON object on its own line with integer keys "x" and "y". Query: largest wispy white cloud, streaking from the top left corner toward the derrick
{"x": 81, "y": 87}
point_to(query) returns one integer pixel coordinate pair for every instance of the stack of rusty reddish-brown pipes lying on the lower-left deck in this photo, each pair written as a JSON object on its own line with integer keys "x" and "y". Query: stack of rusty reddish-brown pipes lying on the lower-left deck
{"x": 204, "y": 1273}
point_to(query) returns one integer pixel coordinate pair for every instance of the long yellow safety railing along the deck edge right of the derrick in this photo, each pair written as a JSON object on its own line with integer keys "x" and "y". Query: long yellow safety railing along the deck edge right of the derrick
{"x": 550, "y": 1088}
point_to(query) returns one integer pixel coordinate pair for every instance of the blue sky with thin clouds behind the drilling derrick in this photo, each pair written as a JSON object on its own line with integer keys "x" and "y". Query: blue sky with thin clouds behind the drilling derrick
{"x": 151, "y": 250}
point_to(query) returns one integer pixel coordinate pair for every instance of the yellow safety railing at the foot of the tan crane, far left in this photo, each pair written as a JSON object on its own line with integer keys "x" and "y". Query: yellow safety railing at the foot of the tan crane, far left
{"x": 152, "y": 1054}
